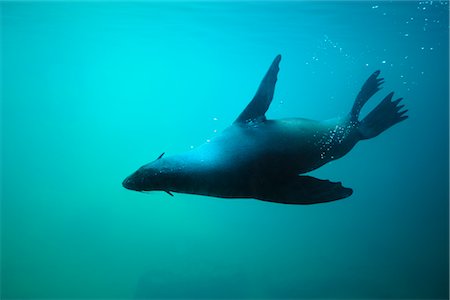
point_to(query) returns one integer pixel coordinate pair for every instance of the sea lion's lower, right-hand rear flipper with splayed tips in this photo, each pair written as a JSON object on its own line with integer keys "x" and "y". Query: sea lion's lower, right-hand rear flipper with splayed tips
{"x": 383, "y": 116}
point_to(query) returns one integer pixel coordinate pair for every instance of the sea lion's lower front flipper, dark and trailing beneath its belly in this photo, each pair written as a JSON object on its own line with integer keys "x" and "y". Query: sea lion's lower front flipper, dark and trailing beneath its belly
{"x": 305, "y": 190}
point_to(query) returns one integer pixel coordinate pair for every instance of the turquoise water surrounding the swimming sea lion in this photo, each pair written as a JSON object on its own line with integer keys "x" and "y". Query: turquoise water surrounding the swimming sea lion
{"x": 93, "y": 90}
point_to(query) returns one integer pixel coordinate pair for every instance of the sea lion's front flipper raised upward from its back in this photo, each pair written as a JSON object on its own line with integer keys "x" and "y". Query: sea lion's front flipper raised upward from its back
{"x": 260, "y": 103}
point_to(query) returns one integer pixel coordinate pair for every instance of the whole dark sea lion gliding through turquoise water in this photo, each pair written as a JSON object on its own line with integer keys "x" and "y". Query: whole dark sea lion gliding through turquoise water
{"x": 263, "y": 159}
